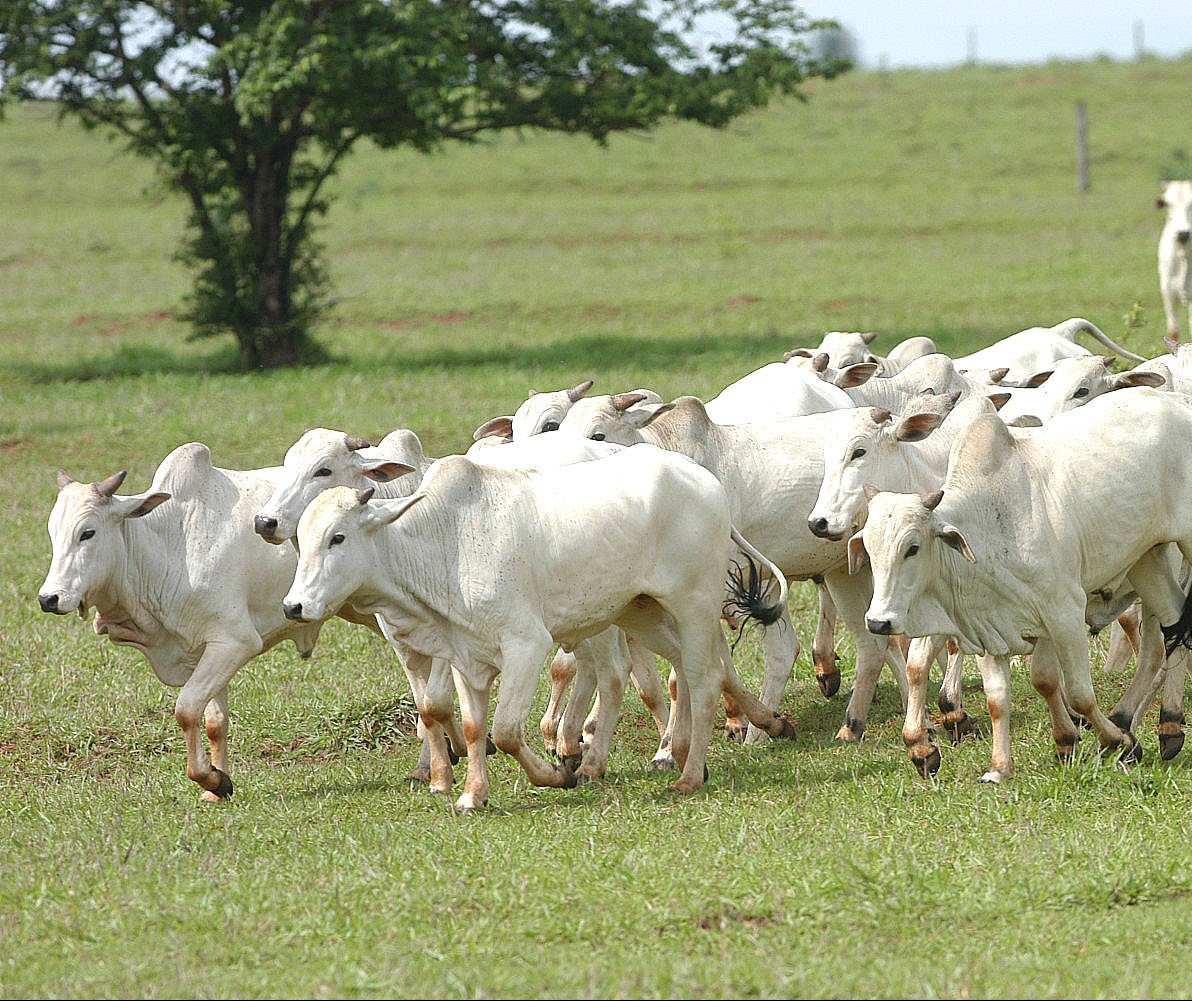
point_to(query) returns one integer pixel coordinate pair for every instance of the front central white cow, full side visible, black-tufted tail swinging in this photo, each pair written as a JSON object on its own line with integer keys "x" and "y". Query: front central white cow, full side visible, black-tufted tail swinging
{"x": 491, "y": 568}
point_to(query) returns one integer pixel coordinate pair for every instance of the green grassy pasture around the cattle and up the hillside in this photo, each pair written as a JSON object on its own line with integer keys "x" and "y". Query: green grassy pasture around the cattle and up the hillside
{"x": 914, "y": 203}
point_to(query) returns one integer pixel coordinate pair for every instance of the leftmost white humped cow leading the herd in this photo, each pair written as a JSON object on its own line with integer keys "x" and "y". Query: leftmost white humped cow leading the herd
{"x": 187, "y": 583}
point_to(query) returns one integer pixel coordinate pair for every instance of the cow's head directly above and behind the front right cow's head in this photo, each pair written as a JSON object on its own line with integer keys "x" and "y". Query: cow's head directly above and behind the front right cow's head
{"x": 864, "y": 453}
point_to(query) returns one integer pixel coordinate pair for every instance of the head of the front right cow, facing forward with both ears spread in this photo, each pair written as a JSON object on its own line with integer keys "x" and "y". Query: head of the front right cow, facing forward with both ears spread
{"x": 907, "y": 543}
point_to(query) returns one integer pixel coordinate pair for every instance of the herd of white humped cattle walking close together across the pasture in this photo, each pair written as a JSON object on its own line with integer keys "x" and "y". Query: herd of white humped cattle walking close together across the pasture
{"x": 998, "y": 505}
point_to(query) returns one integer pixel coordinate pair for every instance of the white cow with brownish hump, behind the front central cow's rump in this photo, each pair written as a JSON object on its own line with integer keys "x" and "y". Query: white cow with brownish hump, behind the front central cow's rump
{"x": 772, "y": 472}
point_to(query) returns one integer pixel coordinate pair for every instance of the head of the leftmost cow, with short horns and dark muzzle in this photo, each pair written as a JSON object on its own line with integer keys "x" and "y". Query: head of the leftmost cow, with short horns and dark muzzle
{"x": 89, "y": 542}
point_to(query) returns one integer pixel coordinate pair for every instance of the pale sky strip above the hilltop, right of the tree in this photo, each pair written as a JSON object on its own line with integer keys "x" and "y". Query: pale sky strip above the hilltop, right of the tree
{"x": 897, "y": 34}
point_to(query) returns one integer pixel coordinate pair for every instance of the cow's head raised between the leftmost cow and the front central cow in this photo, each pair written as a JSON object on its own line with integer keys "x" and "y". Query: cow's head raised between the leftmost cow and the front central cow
{"x": 318, "y": 462}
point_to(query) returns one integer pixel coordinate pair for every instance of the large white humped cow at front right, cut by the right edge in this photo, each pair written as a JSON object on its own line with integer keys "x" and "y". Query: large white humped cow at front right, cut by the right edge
{"x": 1028, "y": 527}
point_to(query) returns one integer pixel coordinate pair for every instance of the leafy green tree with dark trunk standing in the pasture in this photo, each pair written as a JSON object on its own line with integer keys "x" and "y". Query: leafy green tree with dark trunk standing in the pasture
{"x": 250, "y": 108}
